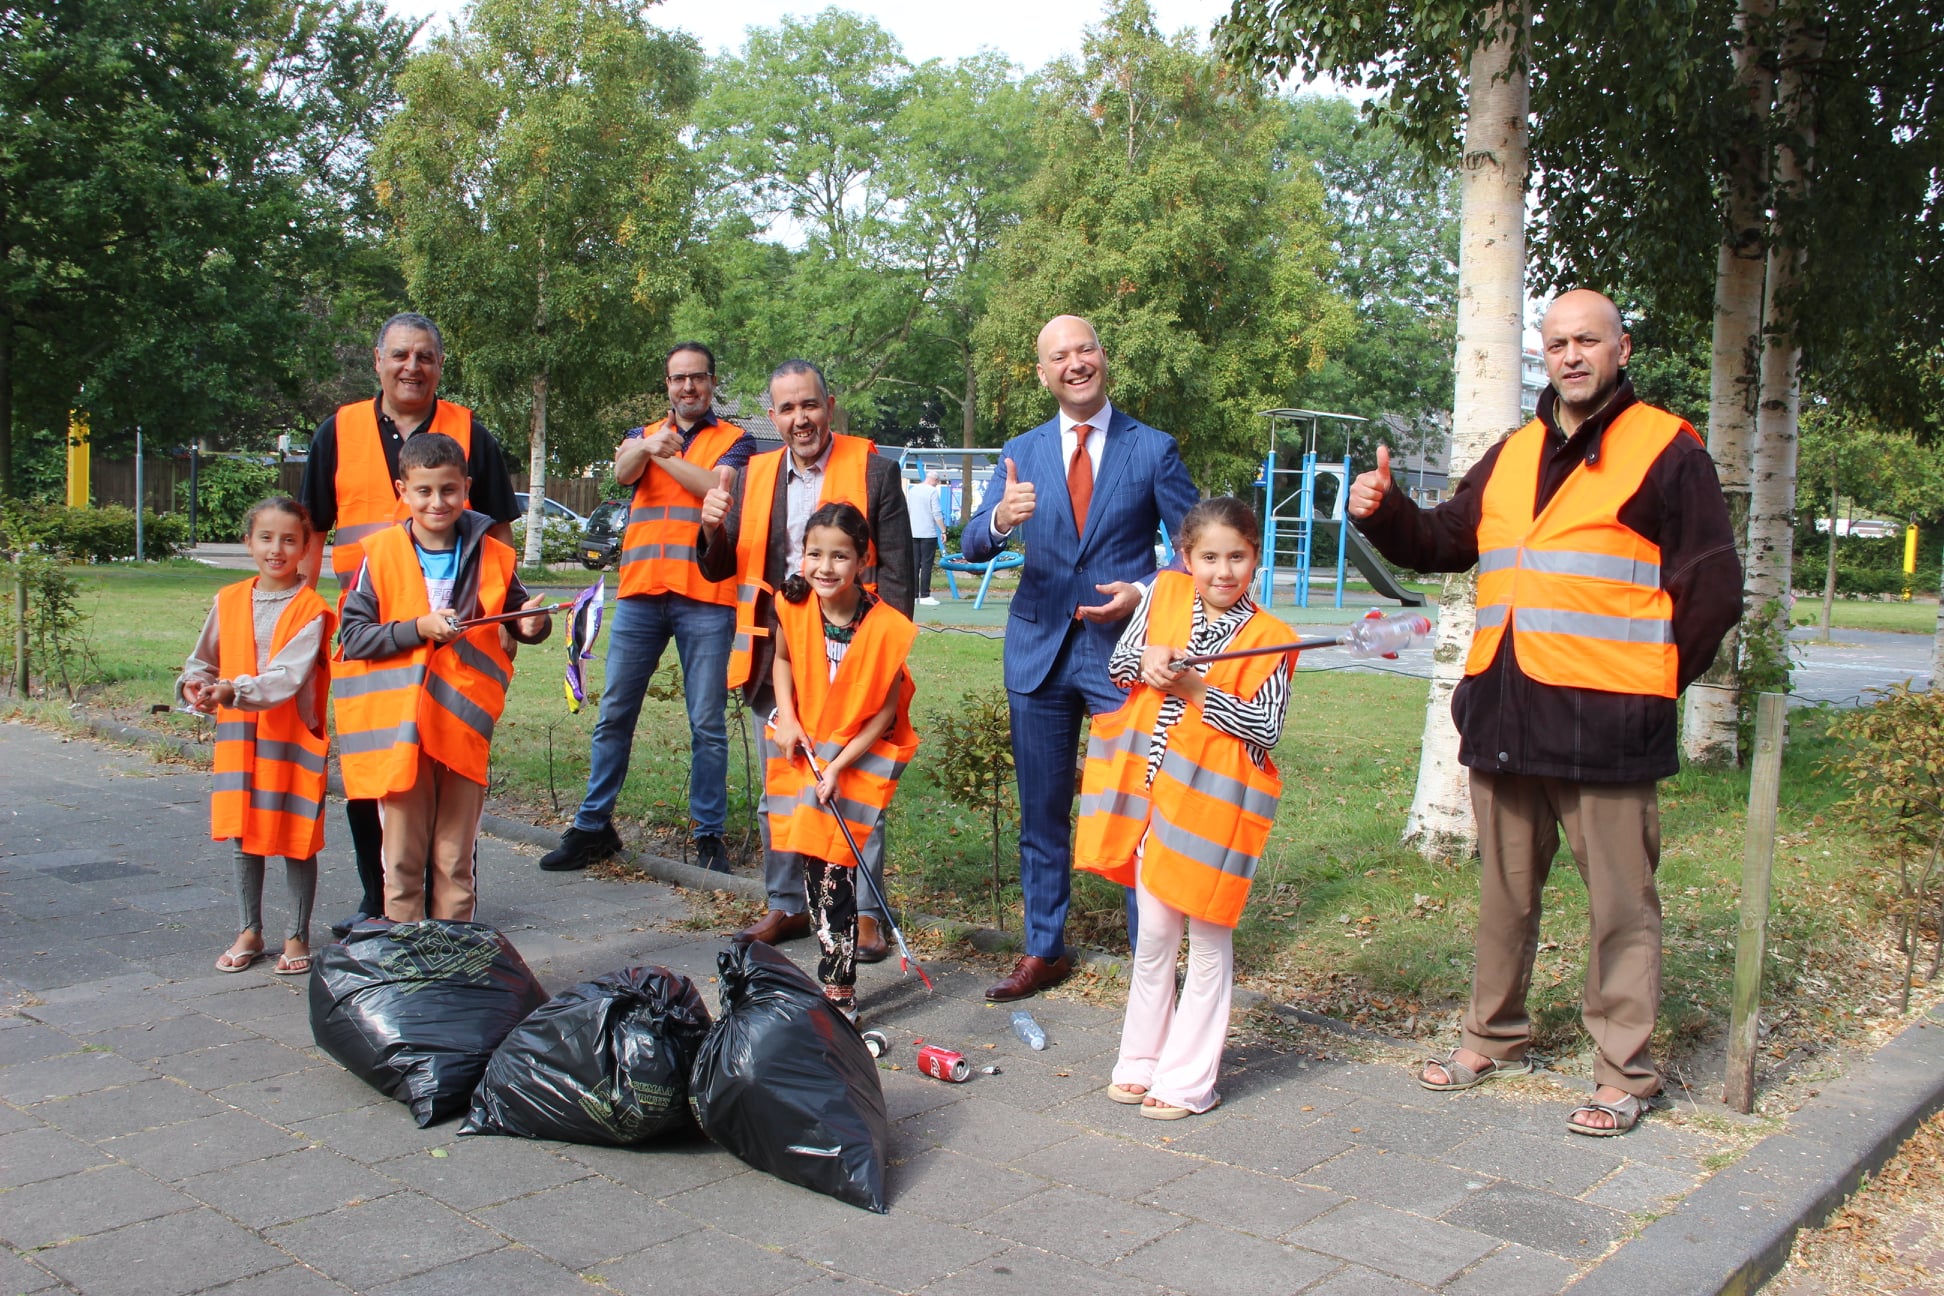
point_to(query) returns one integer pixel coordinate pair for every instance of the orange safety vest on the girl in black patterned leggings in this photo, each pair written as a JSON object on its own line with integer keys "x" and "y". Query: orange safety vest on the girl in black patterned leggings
{"x": 833, "y": 712}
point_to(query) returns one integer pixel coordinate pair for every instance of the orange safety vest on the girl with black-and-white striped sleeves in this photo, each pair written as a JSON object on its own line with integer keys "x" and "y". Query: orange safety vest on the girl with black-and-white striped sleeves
{"x": 1208, "y": 815}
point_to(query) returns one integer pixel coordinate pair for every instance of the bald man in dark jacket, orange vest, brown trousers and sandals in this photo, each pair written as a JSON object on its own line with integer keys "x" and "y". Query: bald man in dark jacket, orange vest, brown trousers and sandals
{"x": 1607, "y": 580}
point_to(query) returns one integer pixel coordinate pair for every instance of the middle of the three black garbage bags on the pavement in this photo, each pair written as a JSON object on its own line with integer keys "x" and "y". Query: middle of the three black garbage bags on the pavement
{"x": 606, "y": 1062}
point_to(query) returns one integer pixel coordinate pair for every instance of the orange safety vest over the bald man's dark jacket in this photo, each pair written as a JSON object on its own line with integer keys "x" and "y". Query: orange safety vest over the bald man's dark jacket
{"x": 1579, "y": 592}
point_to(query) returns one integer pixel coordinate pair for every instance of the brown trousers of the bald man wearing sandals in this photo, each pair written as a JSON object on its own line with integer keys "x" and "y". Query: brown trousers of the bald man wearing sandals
{"x": 1614, "y": 833}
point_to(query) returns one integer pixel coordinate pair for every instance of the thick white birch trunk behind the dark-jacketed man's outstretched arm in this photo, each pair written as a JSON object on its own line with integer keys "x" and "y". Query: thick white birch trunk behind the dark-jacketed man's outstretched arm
{"x": 1492, "y": 290}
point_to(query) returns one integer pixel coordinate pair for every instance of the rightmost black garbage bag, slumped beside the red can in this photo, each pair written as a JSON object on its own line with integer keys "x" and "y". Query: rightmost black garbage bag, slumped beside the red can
{"x": 786, "y": 1083}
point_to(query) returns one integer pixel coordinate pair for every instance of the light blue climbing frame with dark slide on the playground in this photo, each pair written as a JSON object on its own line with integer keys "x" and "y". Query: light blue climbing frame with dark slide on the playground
{"x": 1296, "y": 518}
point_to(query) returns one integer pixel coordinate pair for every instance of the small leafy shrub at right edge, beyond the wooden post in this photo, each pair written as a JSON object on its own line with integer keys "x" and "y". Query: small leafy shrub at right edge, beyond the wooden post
{"x": 1894, "y": 768}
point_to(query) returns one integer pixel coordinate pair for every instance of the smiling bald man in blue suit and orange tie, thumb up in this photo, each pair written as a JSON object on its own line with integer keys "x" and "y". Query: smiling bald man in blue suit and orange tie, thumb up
{"x": 1086, "y": 495}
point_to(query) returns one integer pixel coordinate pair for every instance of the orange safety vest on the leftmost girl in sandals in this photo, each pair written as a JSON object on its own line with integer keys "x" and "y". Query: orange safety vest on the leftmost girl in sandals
{"x": 269, "y": 765}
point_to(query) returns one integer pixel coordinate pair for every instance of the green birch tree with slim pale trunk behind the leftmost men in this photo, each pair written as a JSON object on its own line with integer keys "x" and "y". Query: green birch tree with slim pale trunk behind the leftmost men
{"x": 543, "y": 207}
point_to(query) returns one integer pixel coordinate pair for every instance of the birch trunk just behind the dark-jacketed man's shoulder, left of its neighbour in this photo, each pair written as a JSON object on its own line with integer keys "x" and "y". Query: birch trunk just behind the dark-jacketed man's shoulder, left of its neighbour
{"x": 1710, "y": 726}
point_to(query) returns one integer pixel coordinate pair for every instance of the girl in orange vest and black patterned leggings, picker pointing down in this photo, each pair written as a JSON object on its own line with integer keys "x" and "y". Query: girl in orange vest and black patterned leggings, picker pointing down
{"x": 843, "y": 693}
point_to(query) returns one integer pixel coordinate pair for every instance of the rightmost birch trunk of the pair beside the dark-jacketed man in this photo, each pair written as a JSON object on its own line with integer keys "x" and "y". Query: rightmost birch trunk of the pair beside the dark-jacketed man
{"x": 1772, "y": 502}
